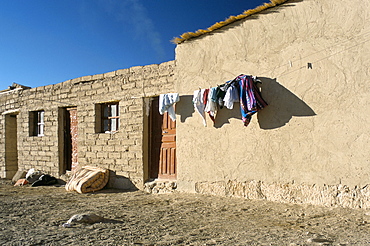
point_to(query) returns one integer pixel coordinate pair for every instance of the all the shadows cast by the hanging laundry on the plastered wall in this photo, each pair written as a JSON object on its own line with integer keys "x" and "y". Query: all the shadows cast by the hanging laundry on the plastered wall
{"x": 283, "y": 105}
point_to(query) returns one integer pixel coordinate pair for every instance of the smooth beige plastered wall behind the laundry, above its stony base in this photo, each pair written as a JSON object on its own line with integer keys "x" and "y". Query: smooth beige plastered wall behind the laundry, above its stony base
{"x": 316, "y": 127}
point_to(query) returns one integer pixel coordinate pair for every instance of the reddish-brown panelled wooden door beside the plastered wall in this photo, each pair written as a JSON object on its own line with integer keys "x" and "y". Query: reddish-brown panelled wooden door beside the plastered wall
{"x": 162, "y": 144}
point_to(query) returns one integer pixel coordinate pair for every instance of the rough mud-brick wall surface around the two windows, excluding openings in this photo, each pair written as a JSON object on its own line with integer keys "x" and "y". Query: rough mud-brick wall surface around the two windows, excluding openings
{"x": 122, "y": 151}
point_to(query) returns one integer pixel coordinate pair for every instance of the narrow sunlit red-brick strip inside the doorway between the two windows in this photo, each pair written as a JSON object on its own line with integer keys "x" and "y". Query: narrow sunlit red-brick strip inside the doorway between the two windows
{"x": 73, "y": 133}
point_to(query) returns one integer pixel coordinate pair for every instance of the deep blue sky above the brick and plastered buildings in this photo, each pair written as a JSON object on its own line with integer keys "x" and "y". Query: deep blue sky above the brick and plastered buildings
{"x": 46, "y": 42}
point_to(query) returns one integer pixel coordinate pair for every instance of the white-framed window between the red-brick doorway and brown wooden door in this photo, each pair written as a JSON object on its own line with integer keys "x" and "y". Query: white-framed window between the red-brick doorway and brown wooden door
{"x": 109, "y": 117}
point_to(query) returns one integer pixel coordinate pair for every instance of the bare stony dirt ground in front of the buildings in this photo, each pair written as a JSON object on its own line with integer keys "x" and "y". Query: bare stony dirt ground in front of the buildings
{"x": 34, "y": 215}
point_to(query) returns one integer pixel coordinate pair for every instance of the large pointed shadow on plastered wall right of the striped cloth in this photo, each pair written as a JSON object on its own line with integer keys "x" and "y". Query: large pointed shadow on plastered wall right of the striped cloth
{"x": 283, "y": 105}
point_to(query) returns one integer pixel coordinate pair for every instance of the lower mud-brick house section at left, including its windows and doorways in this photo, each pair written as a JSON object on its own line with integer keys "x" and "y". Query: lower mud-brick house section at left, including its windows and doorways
{"x": 99, "y": 120}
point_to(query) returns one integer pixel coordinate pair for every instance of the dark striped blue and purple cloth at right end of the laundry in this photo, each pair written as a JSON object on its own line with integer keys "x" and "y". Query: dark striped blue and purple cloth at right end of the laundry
{"x": 251, "y": 100}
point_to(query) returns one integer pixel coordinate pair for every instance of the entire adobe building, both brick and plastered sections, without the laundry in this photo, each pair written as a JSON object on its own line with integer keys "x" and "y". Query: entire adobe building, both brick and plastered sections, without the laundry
{"x": 309, "y": 145}
